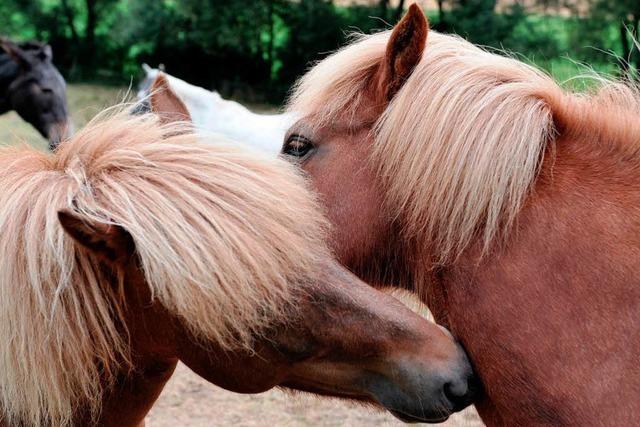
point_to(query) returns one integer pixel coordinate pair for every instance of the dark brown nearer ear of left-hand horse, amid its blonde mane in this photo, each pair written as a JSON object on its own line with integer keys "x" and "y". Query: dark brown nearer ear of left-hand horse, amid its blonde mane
{"x": 110, "y": 242}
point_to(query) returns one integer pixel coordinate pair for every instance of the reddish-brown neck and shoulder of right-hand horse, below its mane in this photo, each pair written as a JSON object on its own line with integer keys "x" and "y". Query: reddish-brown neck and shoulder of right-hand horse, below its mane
{"x": 546, "y": 317}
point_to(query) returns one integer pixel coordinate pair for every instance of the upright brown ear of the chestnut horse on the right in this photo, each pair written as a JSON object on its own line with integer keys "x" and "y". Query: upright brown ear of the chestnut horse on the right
{"x": 404, "y": 51}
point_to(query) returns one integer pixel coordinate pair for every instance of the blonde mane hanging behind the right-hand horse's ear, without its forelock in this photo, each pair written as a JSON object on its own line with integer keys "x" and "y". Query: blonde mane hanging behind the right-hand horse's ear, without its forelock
{"x": 461, "y": 143}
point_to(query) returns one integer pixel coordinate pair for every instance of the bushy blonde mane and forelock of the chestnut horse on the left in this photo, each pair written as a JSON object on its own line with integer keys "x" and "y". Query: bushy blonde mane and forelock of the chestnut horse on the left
{"x": 221, "y": 236}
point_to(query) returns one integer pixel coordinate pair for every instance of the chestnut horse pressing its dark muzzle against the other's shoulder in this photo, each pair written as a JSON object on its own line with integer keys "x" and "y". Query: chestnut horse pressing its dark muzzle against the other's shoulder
{"x": 136, "y": 245}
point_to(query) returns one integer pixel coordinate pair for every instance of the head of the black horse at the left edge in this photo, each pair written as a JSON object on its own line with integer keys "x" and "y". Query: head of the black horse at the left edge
{"x": 34, "y": 88}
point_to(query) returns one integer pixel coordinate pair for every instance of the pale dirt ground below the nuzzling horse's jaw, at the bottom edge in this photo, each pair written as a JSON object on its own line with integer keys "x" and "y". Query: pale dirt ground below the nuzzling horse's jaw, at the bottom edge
{"x": 192, "y": 402}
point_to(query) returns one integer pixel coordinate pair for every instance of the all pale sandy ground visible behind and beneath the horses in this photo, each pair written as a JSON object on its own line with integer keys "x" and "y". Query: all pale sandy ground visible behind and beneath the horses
{"x": 190, "y": 401}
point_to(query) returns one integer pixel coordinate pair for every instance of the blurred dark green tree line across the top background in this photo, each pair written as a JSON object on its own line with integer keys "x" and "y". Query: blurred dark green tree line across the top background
{"x": 256, "y": 49}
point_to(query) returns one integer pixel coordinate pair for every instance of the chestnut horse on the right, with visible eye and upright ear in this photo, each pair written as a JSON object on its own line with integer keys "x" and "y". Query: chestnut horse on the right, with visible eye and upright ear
{"x": 510, "y": 205}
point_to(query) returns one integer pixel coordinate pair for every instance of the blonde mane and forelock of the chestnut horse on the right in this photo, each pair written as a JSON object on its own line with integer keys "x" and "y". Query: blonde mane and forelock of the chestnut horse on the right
{"x": 460, "y": 145}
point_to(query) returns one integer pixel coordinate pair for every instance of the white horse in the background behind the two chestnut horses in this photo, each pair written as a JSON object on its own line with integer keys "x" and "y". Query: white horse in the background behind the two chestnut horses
{"x": 213, "y": 114}
